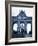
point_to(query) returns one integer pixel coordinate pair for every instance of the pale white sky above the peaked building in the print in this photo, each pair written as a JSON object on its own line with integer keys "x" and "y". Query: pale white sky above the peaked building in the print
{"x": 16, "y": 11}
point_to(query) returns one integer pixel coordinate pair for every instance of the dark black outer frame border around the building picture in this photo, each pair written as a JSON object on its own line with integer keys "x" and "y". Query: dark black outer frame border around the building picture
{"x": 6, "y": 32}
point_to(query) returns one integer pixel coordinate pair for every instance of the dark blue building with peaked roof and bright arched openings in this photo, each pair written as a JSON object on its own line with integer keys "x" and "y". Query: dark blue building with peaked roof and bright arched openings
{"x": 21, "y": 25}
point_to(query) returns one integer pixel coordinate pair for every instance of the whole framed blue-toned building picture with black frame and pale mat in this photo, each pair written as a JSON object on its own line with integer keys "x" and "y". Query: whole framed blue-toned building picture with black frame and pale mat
{"x": 21, "y": 22}
